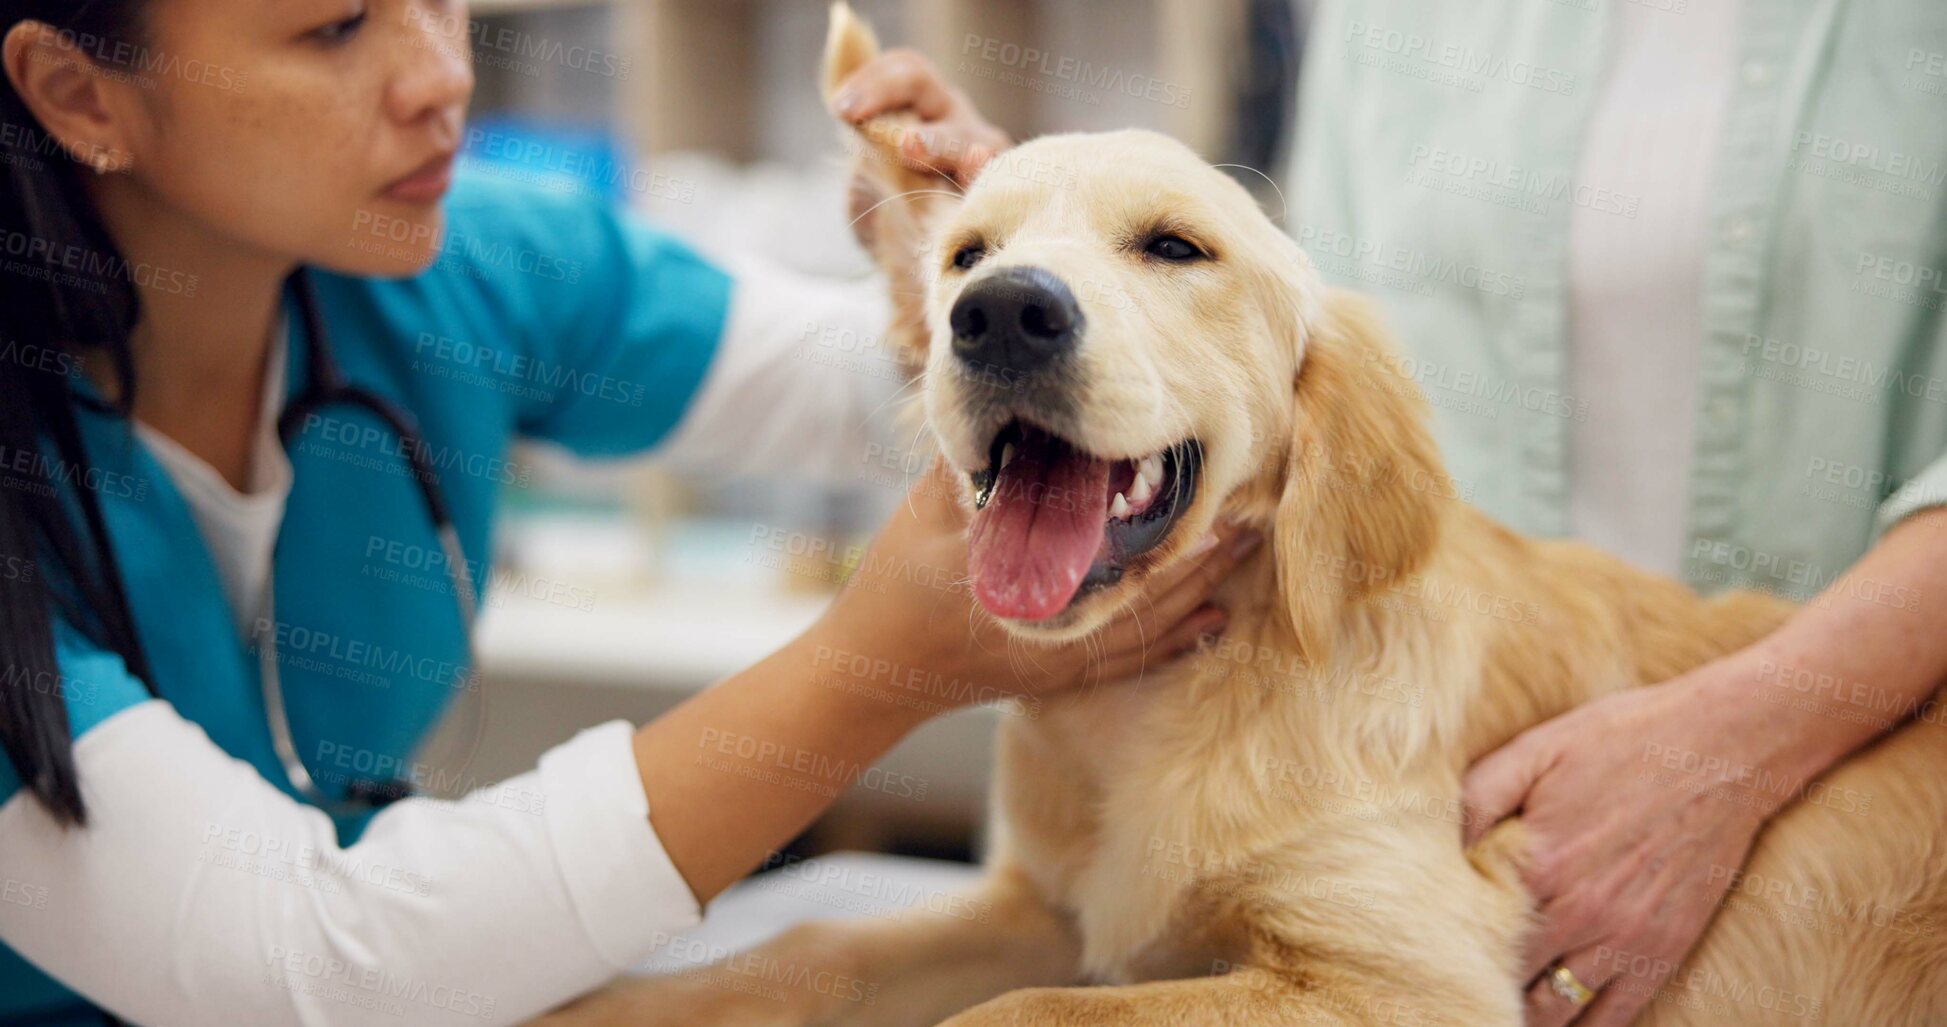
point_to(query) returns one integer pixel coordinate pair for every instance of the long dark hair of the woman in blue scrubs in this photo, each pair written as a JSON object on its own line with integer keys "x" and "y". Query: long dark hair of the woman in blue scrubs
{"x": 55, "y": 552}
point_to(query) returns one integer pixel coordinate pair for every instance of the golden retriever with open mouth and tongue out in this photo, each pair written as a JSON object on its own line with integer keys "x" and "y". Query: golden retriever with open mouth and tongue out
{"x": 1120, "y": 348}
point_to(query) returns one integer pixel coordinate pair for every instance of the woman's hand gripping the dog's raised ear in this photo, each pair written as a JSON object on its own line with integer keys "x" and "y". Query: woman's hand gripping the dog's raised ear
{"x": 953, "y": 137}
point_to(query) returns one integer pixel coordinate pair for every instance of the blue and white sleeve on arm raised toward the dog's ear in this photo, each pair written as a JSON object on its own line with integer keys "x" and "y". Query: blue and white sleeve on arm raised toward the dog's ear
{"x": 640, "y": 344}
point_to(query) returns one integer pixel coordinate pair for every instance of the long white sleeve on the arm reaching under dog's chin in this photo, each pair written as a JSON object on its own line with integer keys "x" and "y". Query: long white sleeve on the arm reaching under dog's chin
{"x": 200, "y": 892}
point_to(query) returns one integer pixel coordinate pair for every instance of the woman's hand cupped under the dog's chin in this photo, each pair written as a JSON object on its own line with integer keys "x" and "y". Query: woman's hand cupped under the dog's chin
{"x": 910, "y": 603}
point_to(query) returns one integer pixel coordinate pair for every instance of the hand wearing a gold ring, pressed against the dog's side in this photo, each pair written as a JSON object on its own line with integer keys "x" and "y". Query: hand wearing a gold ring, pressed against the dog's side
{"x": 1638, "y": 810}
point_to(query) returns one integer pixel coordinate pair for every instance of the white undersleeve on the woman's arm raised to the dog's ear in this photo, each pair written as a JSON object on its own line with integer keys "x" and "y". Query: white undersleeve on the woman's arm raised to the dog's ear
{"x": 805, "y": 383}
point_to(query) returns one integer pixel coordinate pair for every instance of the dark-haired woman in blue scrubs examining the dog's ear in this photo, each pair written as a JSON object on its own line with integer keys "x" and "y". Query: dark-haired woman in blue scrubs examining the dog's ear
{"x": 231, "y": 309}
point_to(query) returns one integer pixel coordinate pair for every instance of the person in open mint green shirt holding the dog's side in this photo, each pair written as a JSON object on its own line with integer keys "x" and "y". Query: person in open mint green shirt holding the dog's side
{"x": 1671, "y": 274}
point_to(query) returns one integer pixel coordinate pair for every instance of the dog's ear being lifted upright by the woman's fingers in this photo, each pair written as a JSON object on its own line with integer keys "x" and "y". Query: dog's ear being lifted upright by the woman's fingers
{"x": 893, "y": 204}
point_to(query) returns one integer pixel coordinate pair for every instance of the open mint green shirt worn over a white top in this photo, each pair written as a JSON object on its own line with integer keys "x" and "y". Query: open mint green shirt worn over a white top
{"x": 1436, "y": 171}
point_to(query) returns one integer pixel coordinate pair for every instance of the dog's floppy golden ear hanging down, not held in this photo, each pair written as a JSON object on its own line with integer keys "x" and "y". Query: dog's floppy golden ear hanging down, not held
{"x": 1364, "y": 482}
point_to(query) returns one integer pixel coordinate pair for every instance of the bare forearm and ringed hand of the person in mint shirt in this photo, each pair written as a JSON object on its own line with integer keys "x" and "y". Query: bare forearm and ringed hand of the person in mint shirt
{"x": 1642, "y": 808}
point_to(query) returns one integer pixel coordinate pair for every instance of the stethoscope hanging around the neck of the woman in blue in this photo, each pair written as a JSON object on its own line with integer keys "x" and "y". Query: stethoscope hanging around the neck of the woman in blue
{"x": 328, "y": 387}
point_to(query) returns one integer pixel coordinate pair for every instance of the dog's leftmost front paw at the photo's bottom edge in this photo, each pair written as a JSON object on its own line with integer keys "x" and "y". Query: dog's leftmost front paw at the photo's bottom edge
{"x": 684, "y": 1001}
